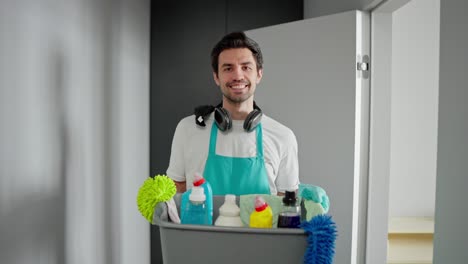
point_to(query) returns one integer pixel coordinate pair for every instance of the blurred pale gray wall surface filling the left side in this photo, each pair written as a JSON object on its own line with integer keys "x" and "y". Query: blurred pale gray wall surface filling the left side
{"x": 74, "y": 135}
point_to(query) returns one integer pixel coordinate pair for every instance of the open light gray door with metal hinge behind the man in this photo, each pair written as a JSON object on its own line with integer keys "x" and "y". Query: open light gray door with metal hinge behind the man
{"x": 312, "y": 85}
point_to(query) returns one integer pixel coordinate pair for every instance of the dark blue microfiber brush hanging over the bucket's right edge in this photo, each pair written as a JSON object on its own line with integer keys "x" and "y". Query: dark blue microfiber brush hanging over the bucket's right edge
{"x": 321, "y": 240}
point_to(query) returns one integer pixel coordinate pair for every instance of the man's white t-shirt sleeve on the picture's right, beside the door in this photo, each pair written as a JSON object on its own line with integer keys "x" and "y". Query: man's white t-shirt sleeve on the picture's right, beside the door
{"x": 288, "y": 172}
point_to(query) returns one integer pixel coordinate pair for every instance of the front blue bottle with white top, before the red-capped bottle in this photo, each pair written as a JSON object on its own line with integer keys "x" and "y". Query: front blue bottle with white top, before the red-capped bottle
{"x": 196, "y": 211}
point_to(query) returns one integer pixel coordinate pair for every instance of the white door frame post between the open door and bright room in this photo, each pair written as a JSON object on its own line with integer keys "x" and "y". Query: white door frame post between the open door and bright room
{"x": 379, "y": 129}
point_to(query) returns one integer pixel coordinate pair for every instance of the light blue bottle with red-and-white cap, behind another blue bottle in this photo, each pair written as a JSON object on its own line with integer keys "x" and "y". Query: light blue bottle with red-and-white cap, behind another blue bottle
{"x": 198, "y": 181}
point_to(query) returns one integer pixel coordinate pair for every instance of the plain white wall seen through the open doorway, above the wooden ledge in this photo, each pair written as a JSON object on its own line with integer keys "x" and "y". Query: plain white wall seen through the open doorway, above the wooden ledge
{"x": 414, "y": 106}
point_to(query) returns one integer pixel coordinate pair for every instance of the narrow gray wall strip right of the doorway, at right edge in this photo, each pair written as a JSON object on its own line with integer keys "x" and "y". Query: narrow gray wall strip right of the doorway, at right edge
{"x": 451, "y": 235}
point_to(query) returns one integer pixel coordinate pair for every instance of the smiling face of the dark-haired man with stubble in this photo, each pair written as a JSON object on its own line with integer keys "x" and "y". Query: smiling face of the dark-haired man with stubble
{"x": 237, "y": 74}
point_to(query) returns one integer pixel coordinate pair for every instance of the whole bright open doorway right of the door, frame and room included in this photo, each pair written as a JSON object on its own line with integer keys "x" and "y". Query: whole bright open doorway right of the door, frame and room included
{"x": 403, "y": 142}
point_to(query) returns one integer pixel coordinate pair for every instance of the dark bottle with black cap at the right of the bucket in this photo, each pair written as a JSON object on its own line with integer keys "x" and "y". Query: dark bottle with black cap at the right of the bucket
{"x": 290, "y": 215}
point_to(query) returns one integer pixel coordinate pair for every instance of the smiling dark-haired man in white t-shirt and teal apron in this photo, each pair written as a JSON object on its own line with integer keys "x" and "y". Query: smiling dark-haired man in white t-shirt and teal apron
{"x": 238, "y": 149}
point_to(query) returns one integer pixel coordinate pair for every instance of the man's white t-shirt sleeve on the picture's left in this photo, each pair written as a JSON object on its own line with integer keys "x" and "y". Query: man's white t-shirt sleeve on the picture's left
{"x": 176, "y": 169}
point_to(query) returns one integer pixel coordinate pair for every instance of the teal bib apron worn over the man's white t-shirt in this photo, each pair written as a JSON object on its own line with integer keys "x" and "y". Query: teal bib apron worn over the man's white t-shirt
{"x": 234, "y": 175}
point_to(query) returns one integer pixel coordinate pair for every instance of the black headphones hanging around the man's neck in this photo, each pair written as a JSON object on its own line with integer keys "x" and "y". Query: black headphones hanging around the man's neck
{"x": 223, "y": 119}
